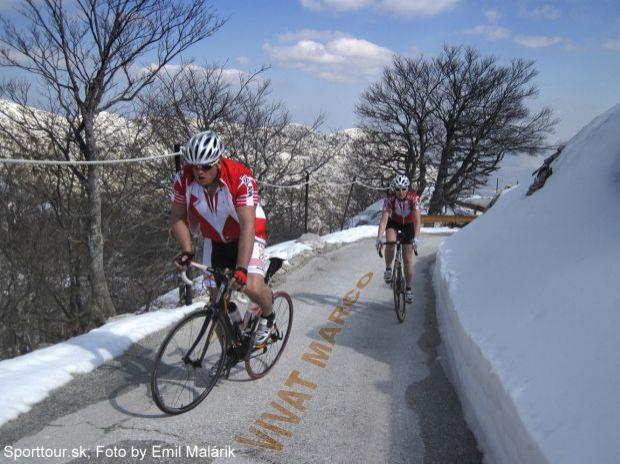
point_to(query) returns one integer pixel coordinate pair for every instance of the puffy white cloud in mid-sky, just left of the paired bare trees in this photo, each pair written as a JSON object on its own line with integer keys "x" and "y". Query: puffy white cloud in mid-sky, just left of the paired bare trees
{"x": 330, "y": 55}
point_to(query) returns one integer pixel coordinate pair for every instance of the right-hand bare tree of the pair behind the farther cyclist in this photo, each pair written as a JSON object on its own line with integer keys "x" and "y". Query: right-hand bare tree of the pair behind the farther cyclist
{"x": 482, "y": 111}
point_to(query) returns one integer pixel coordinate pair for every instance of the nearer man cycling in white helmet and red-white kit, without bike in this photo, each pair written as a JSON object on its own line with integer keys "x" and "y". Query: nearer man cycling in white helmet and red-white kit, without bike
{"x": 218, "y": 197}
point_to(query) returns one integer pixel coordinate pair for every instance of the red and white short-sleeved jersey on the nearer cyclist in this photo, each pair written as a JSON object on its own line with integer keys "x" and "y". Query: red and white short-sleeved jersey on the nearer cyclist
{"x": 216, "y": 216}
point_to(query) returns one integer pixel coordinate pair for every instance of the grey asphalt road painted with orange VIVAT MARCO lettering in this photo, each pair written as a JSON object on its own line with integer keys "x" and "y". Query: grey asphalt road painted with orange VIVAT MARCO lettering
{"x": 380, "y": 394}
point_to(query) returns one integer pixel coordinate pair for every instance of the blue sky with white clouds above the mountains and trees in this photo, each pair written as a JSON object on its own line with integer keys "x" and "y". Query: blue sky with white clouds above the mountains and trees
{"x": 324, "y": 53}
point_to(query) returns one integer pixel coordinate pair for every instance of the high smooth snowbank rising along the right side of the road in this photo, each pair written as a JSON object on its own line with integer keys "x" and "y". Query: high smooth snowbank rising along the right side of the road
{"x": 529, "y": 310}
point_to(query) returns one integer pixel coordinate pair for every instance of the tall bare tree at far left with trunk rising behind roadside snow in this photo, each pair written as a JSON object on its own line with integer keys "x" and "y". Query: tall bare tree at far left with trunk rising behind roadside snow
{"x": 86, "y": 56}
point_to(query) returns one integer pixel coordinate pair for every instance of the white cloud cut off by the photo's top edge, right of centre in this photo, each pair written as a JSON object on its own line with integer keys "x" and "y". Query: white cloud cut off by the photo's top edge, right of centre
{"x": 407, "y": 7}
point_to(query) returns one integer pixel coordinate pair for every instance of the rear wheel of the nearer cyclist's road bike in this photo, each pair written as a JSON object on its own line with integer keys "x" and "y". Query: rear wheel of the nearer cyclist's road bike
{"x": 260, "y": 359}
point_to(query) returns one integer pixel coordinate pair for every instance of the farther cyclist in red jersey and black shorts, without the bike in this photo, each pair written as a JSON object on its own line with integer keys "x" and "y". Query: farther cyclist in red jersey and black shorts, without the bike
{"x": 401, "y": 211}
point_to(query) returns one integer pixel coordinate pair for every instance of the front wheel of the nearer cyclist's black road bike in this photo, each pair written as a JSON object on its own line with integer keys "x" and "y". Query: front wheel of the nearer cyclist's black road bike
{"x": 188, "y": 363}
